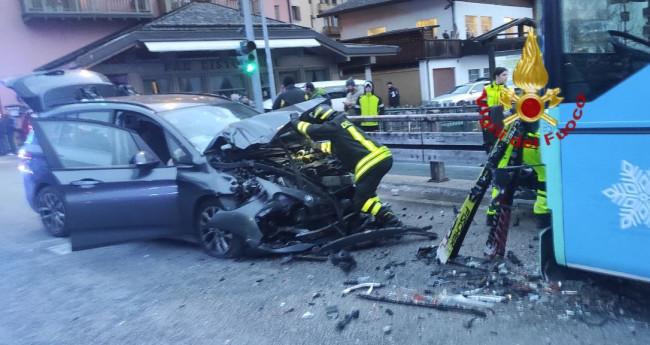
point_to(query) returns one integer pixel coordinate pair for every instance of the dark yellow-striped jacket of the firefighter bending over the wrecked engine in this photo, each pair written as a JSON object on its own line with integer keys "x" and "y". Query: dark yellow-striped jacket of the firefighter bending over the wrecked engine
{"x": 356, "y": 151}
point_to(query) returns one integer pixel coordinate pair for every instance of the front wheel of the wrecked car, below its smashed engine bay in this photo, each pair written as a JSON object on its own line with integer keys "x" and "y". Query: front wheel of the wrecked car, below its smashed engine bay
{"x": 216, "y": 242}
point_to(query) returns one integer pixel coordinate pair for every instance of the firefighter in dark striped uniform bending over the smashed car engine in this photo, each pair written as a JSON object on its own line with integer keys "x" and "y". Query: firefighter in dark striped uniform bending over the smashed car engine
{"x": 359, "y": 154}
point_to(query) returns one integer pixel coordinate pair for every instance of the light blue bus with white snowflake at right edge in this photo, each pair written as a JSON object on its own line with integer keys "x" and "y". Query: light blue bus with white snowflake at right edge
{"x": 597, "y": 159}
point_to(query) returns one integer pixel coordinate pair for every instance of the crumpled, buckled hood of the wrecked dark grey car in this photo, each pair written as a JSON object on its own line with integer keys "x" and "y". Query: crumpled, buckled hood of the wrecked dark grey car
{"x": 260, "y": 129}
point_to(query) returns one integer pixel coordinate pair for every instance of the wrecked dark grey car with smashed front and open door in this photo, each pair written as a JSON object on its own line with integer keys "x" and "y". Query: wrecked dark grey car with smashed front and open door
{"x": 106, "y": 169}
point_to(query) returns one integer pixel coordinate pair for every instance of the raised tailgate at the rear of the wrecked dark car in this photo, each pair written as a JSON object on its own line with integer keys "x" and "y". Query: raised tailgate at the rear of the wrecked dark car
{"x": 44, "y": 90}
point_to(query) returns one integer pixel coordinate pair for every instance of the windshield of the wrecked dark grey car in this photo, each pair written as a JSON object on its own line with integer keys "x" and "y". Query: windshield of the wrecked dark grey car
{"x": 201, "y": 124}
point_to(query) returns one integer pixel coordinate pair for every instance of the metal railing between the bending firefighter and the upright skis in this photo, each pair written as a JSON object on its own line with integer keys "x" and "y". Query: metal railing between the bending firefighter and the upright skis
{"x": 431, "y": 134}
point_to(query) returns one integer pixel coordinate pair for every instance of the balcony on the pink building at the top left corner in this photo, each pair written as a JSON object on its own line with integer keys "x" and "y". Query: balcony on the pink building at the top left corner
{"x": 93, "y": 9}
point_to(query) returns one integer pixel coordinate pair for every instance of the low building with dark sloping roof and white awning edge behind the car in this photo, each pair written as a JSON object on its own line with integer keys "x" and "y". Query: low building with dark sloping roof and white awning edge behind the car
{"x": 194, "y": 49}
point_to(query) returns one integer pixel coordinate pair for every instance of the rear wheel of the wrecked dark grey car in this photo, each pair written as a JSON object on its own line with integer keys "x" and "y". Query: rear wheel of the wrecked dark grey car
{"x": 51, "y": 208}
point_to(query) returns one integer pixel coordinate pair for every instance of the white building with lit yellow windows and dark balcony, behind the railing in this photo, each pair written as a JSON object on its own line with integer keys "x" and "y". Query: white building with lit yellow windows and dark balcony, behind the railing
{"x": 436, "y": 39}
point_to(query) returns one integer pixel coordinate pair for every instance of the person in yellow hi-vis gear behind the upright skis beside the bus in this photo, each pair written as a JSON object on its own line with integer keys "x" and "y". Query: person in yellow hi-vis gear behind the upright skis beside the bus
{"x": 530, "y": 156}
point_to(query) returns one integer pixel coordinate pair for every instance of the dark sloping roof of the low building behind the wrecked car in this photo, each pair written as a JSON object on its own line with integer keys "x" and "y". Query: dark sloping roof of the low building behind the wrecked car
{"x": 201, "y": 21}
